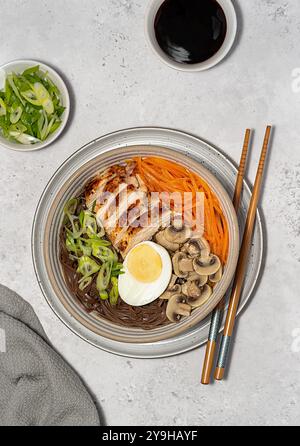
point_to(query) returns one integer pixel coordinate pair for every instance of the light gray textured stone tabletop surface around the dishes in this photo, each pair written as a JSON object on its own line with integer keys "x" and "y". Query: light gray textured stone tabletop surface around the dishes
{"x": 116, "y": 83}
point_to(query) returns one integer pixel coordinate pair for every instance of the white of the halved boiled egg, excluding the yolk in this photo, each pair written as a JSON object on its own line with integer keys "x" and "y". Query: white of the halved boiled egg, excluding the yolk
{"x": 137, "y": 293}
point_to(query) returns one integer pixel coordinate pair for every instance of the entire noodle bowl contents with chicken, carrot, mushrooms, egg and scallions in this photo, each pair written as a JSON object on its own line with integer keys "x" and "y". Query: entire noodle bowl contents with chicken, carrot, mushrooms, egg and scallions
{"x": 144, "y": 243}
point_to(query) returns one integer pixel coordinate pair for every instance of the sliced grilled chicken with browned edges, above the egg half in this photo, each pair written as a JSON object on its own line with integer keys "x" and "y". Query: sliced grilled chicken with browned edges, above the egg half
{"x": 124, "y": 207}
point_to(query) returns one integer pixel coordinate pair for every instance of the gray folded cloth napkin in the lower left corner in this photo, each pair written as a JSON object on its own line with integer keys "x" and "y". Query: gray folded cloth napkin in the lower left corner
{"x": 37, "y": 387}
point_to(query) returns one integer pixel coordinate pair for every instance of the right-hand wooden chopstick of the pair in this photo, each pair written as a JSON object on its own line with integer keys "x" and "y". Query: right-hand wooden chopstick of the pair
{"x": 242, "y": 263}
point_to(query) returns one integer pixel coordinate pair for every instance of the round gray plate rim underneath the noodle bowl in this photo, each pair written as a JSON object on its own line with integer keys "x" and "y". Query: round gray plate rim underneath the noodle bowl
{"x": 204, "y": 153}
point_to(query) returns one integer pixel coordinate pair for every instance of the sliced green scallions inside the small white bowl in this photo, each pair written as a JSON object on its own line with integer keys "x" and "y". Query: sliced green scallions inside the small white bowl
{"x": 30, "y": 106}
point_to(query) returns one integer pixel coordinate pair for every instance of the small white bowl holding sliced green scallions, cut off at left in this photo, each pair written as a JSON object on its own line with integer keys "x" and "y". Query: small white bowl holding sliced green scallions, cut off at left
{"x": 19, "y": 66}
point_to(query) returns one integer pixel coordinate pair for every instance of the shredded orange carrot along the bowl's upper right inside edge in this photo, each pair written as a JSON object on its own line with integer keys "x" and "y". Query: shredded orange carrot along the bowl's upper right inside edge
{"x": 162, "y": 175}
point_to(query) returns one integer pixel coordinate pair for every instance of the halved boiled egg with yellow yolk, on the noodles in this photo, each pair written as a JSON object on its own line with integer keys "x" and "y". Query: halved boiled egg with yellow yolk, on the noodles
{"x": 147, "y": 274}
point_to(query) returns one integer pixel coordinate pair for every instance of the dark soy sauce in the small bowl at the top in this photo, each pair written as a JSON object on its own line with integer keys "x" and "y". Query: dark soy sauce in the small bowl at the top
{"x": 190, "y": 31}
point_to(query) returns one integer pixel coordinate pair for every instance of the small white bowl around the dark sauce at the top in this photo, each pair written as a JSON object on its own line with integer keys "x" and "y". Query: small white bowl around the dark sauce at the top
{"x": 231, "y": 19}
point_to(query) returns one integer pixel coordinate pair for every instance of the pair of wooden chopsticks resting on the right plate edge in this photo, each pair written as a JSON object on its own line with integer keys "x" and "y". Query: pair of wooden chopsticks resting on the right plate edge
{"x": 241, "y": 268}
